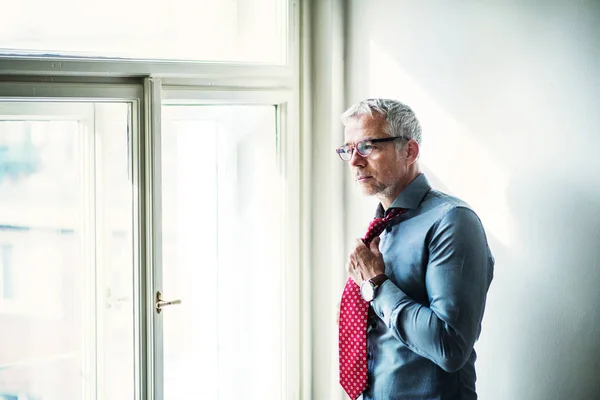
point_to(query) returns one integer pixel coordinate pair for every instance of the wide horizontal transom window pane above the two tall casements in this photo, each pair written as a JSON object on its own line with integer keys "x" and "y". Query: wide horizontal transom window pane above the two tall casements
{"x": 196, "y": 30}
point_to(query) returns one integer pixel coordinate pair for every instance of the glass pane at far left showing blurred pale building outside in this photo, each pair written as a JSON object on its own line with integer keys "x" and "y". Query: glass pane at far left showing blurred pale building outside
{"x": 40, "y": 194}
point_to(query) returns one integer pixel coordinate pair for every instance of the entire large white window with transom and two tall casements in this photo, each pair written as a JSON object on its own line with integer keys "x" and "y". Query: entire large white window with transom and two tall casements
{"x": 134, "y": 192}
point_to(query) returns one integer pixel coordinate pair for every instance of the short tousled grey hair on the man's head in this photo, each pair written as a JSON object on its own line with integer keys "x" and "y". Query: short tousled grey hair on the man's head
{"x": 400, "y": 120}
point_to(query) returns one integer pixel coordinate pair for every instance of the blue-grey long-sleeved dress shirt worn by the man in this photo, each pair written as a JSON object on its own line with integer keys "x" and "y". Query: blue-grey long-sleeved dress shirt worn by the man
{"x": 425, "y": 319}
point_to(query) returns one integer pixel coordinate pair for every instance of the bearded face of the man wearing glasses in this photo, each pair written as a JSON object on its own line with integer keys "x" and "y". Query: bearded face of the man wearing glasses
{"x": 381, "y": 173}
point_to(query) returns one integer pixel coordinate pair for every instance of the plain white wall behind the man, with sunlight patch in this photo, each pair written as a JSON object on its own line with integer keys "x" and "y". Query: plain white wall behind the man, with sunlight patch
{"x": 509, "y": 96}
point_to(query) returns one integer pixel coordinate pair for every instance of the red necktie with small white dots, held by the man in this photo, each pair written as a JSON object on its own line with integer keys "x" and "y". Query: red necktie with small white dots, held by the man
{"x": 353, "y": 323}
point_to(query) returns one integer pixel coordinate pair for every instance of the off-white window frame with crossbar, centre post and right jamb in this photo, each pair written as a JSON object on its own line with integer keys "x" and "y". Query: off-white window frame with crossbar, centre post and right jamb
{"x": 147, "y": 85}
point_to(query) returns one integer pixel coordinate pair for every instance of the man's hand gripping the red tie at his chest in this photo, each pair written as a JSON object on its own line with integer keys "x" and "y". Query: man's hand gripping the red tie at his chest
{"x": 365, "y": 262}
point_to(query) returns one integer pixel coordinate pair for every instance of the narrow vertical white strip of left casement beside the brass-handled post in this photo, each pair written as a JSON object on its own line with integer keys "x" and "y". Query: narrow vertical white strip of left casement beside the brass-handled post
{"x": 114, "y": 250}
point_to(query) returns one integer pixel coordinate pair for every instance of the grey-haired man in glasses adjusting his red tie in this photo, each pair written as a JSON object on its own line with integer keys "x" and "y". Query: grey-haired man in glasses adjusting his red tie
{"x": 425, "y": 280}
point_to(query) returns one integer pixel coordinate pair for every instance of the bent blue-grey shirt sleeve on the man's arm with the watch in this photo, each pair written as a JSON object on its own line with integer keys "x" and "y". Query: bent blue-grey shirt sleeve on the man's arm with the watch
{"x": 457, "y": 278}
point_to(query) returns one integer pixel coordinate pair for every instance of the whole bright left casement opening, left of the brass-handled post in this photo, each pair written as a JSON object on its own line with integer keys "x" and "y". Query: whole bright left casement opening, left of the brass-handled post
{"x": 65, "y": 243}
